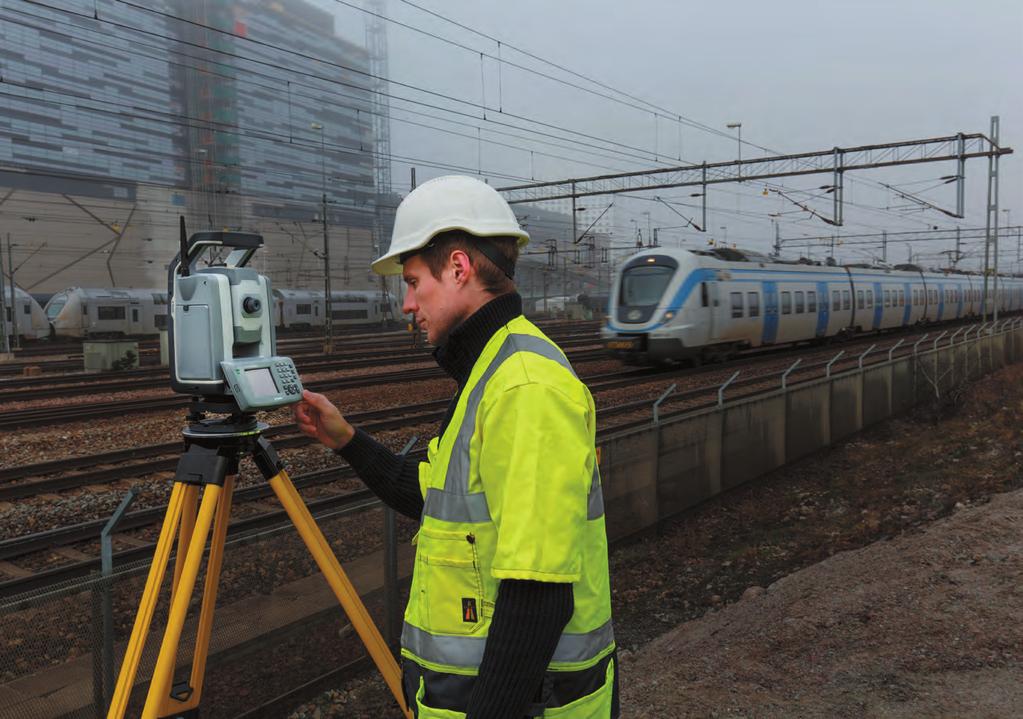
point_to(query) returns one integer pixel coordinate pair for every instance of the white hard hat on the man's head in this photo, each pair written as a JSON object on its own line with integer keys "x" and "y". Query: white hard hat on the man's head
{"x": 449, "y": 203}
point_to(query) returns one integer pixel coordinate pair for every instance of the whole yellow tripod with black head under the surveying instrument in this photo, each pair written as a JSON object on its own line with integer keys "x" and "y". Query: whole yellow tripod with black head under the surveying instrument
{"x": 211, "y": 462}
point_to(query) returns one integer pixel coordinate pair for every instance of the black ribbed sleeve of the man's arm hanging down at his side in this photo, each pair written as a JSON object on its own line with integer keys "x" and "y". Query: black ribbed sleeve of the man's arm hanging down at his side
{"x": 528, "y": 621}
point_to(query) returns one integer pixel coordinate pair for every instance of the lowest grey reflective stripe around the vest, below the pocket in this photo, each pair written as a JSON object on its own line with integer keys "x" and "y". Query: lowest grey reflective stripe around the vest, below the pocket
{"x": 468, "y": 651}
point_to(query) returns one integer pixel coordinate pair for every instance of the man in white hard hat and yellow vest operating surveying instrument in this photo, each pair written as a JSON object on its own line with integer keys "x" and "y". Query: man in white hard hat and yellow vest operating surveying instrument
{"x": 510, "y": 609}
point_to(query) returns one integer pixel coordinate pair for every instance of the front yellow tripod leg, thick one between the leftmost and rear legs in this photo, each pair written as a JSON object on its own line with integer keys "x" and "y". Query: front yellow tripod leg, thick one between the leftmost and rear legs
{"x": 164, "y": 672}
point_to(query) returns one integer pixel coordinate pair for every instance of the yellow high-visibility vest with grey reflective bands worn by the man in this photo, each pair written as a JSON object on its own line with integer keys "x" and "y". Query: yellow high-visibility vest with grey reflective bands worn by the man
{"x": 512, "y": 491}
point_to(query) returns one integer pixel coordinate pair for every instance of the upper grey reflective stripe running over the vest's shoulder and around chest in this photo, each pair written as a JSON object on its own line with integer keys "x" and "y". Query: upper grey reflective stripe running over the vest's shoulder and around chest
{"x": 455, "y": 504}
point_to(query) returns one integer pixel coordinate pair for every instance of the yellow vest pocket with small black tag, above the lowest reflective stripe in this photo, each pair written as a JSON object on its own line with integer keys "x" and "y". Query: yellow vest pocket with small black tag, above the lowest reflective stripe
{"x": 452, "y": 586}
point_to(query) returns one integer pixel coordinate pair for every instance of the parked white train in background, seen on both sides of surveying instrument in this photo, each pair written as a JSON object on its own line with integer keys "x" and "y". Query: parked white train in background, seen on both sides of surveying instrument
{"x": 83, "y": 312}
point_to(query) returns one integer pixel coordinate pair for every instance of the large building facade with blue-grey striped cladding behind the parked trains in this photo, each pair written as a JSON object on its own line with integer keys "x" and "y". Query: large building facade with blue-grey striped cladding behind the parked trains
{"x": 116, "y": 120}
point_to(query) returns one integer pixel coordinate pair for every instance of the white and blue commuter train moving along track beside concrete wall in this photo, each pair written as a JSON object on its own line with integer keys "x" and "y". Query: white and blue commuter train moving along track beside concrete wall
{"x": 677, "y": 305}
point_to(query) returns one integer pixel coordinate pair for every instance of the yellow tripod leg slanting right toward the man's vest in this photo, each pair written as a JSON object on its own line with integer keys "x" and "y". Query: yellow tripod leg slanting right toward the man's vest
{"x": 342, "y": 587}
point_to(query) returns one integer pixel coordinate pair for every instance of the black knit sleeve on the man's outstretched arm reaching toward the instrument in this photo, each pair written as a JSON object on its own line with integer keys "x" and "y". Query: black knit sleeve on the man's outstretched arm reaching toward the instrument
{"x": 393, "y": 478}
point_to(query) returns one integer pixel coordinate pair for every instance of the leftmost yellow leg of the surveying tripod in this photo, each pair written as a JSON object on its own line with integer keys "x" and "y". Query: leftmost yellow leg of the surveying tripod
{"x": 148, "y": 605}
